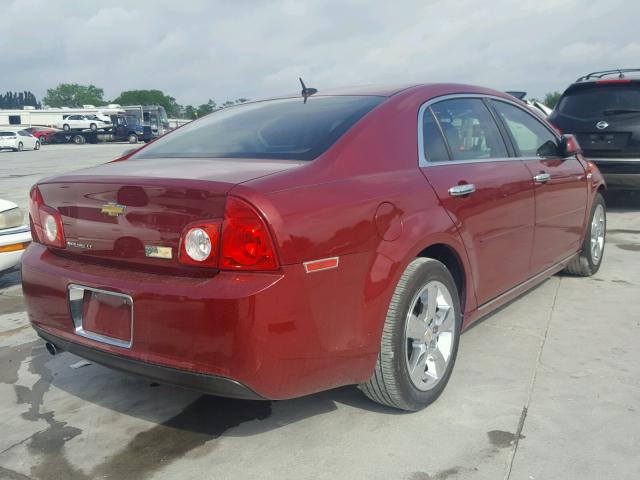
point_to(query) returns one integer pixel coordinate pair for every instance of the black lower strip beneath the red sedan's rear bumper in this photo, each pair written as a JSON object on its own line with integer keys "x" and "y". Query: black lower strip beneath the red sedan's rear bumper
{"x": 210, "y": 384}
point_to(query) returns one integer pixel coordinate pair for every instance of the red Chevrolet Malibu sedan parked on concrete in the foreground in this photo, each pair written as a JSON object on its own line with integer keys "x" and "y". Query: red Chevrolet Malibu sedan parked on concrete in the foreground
{"x": 288, "y": 246}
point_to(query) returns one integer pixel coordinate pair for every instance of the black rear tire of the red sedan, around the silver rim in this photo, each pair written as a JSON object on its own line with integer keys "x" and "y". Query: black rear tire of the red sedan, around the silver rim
{"x": 390, "y": 383}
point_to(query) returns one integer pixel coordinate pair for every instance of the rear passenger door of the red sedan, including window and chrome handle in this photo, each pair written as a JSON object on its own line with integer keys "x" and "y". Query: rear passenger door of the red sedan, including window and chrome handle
{"x": 487, "y": 193}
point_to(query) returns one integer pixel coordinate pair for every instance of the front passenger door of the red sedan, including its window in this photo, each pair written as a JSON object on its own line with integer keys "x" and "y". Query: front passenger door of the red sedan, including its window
{"x": 560, "y": 186}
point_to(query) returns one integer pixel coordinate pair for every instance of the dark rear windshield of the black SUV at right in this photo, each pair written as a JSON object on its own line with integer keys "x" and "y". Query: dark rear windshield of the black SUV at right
{"x": 592, "y": 102}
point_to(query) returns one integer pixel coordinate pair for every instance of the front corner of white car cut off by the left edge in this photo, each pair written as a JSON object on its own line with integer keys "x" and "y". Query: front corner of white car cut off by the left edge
{"x": 14, "y": 235}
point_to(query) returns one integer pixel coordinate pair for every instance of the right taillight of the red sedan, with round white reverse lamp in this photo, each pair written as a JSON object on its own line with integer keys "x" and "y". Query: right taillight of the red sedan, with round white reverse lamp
{"x": 241, "y": 241}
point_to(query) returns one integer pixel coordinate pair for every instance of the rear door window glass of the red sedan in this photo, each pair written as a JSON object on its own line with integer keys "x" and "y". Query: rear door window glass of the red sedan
{"x": 469, "y": 129}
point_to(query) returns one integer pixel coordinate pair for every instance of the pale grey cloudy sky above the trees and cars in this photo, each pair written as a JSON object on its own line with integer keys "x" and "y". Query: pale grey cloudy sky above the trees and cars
{"x": 198, "y": 49}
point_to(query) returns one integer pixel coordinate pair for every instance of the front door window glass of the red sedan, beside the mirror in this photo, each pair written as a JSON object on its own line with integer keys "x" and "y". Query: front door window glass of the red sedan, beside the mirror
{"x": 531, "y": 137}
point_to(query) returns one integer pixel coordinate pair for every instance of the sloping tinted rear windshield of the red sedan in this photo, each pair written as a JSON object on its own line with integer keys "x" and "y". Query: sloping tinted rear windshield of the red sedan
{"x": 287, "y": 129}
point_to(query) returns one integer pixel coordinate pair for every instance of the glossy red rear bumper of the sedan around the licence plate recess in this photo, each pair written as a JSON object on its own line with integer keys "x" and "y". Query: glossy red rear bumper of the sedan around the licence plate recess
{"x": 279, "y": 335}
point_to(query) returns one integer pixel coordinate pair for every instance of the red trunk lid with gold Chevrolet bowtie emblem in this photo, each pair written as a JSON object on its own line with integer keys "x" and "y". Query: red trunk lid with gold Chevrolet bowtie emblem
{"x": 134, "y": 211}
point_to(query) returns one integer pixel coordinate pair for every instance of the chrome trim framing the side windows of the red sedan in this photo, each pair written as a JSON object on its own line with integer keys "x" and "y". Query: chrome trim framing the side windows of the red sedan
{"x": 511, "y": 149}
